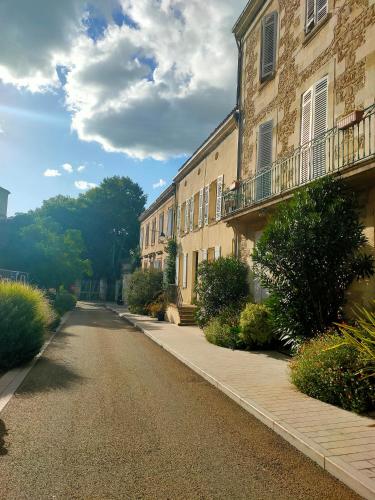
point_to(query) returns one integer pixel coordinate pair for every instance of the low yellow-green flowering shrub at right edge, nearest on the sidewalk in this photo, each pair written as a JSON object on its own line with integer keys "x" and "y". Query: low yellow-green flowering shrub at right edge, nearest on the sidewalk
{"x": 333, "y": 375}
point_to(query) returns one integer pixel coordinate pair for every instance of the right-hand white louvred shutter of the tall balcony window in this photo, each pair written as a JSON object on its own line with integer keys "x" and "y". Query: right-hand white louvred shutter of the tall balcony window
{"x": 319, "y": 127}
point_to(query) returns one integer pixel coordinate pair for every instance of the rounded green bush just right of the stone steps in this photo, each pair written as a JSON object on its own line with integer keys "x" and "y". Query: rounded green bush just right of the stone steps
{"x": 221, "y": 283}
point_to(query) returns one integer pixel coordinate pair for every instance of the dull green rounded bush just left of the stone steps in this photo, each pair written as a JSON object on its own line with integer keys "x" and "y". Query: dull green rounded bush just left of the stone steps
{"x": 143, "y": 288}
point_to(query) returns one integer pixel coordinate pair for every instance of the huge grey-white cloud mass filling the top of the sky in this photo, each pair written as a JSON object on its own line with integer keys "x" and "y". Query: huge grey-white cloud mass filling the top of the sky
{"x": 154, "y": 91}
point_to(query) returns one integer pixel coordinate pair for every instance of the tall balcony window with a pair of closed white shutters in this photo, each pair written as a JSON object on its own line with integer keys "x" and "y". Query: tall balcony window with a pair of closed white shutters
{"x": 313, "y": 125}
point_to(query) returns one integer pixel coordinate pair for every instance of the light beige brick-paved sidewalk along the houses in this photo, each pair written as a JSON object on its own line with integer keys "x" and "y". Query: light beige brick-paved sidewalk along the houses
{"x": 339, "y": 441}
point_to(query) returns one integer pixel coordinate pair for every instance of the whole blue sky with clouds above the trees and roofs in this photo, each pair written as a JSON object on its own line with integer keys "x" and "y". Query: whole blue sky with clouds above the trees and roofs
{"x": 109, "y": 87}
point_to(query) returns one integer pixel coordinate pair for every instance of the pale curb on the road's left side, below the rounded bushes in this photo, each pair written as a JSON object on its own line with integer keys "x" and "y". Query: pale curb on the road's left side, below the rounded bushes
{"x": 11, "y": 380}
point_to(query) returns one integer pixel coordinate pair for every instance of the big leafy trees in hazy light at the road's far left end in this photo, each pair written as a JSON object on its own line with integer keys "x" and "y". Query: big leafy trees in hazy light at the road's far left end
{"x": 67, "y": 238}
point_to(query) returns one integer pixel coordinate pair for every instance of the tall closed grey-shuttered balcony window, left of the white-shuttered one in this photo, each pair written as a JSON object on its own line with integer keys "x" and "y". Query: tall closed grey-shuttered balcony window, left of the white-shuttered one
{"x": 264, "y": 160}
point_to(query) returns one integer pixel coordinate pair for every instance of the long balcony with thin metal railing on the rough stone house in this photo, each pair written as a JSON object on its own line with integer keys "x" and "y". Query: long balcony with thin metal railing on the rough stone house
{"x": 334, "y": 151}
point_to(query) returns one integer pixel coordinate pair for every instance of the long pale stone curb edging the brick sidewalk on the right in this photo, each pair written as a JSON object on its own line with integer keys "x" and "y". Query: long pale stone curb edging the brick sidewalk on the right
{"x": 332, "y": 464}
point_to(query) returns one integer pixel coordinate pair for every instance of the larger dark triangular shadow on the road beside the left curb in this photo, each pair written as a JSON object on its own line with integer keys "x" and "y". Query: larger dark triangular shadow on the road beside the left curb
{"x": 49, "y": 375}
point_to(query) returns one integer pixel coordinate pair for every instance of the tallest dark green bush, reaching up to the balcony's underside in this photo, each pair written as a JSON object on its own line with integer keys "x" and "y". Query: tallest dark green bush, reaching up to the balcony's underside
{"x": 308, "y": 255}
